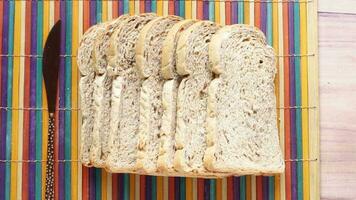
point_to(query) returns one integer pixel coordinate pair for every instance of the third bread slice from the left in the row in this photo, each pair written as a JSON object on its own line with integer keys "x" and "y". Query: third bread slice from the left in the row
{"x": 125, "y": 95}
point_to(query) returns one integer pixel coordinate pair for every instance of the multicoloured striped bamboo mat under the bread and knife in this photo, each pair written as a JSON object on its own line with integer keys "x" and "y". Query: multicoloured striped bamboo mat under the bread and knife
{"x": 290, "y": 27}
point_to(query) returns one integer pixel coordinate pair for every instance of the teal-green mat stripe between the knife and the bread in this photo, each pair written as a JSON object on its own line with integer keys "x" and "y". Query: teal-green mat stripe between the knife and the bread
{"x": 68, "y": 98}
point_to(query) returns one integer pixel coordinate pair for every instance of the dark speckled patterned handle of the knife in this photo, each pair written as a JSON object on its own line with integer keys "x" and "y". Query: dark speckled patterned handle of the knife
{"x": 50, "y": 160}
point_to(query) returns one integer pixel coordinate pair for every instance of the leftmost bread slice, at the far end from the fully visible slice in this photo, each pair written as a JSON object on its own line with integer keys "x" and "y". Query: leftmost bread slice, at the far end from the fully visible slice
{"x": 86, "y": 63}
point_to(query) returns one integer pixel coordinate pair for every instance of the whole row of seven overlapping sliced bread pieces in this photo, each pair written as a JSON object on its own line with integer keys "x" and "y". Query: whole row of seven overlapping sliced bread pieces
{"x": 174, "y": 97}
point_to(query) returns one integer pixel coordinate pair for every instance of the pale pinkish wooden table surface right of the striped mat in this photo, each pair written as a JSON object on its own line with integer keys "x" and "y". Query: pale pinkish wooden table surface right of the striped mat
{"x": 337, "y": 63}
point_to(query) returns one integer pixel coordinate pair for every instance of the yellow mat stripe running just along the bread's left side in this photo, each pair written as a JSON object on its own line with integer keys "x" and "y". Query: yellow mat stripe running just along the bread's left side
{"x": 74, "y": 153}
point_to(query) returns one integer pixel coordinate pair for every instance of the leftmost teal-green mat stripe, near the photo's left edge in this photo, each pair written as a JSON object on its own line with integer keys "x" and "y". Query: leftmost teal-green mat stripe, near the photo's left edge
{"x": 9, "y": 100}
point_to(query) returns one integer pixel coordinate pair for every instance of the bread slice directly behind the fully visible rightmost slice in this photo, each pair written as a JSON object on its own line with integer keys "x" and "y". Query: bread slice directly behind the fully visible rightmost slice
{"x": 192, "y": 61}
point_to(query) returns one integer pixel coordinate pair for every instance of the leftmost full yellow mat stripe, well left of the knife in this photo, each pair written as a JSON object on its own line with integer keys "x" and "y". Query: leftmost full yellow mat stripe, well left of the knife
{"x": 15, "y": 101}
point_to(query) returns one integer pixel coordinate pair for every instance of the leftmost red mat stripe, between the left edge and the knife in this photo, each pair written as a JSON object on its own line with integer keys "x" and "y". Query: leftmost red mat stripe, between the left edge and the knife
{"x": 26, "y": 125}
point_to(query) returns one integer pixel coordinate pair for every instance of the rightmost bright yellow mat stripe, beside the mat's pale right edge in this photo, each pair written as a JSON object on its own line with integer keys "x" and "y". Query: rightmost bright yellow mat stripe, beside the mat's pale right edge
{"x": 305, "y": 120}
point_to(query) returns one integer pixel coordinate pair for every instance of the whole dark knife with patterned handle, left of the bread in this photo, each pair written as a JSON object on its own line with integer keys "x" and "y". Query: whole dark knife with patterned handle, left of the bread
{"x": 50, "y": 63}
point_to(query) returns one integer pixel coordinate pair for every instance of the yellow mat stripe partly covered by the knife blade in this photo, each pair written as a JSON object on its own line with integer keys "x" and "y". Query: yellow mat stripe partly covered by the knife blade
{"x": 46, "y": 25}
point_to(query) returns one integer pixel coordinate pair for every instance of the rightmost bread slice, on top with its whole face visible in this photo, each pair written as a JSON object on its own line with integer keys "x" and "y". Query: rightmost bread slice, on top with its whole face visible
{"x": 242, "y": 123}
